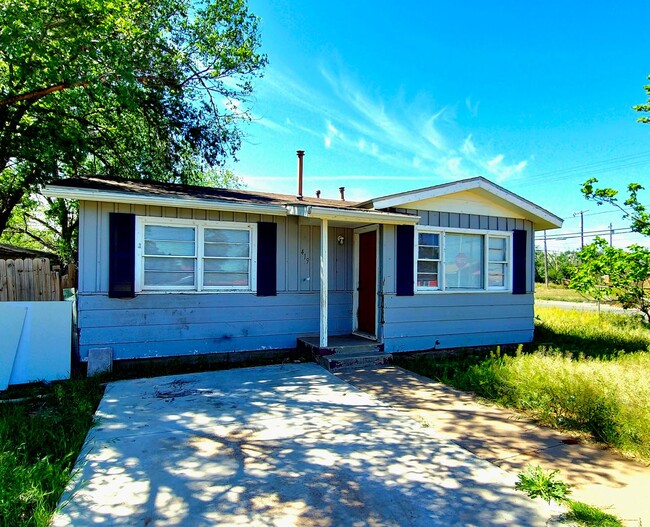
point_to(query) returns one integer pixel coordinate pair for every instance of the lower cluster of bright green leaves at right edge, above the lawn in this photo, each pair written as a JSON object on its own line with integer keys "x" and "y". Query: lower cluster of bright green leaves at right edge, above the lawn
{"x": 609, "y": 273}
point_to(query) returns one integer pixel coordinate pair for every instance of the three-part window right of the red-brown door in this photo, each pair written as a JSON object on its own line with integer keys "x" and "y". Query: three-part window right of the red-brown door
{"x": 462, "y": 261}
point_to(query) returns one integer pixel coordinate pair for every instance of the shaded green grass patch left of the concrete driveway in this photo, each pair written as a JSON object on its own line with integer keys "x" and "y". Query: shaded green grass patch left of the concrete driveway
{"x": 40, "y": 438}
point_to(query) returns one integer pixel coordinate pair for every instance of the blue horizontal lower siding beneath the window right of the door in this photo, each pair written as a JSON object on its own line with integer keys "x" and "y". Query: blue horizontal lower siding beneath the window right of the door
{"x": 448, "y": 320}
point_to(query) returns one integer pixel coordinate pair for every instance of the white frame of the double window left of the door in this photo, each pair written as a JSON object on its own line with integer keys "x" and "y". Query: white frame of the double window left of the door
{"x": 199, "y": 226}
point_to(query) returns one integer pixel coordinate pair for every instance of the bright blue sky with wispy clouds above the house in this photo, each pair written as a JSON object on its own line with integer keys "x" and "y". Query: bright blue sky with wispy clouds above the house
{"x": 386, "y": 97}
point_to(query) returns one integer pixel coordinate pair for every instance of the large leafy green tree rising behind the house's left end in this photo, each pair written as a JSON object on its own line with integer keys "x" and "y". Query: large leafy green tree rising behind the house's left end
{"x": 151, "y": 90}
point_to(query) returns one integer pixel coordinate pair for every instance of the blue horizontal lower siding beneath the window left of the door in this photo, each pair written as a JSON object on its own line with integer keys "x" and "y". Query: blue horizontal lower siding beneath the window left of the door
{"x": 160, "y": 325}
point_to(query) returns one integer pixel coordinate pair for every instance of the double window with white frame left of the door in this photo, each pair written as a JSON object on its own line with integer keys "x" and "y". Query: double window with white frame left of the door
{"x": 195, "y": 255}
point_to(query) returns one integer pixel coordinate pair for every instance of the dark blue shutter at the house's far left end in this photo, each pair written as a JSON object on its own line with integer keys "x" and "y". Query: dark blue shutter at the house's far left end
{"x": 121, "y": 259}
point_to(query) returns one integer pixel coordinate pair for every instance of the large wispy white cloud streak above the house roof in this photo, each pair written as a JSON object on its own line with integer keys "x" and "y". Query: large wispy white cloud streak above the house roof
{"x": 416, "y": 135}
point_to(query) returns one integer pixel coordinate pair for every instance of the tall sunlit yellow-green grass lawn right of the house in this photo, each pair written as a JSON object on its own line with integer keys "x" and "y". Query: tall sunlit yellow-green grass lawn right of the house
{"x": 586, "y": 372}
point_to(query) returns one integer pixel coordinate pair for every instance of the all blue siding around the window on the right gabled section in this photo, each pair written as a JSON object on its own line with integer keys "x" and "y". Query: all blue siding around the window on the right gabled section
{"x": 456, "y": 319}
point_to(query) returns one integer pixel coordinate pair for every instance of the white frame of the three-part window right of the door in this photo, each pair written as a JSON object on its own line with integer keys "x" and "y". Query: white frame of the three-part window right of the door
{"x": 442, "y": 286}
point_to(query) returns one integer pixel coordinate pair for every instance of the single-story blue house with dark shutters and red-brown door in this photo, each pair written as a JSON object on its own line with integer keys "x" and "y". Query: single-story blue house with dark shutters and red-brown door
{"x": 168, "y": 270}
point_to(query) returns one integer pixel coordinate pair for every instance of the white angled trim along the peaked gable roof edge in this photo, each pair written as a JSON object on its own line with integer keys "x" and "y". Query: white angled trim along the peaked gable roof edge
{"x": 541, "y": 218}
